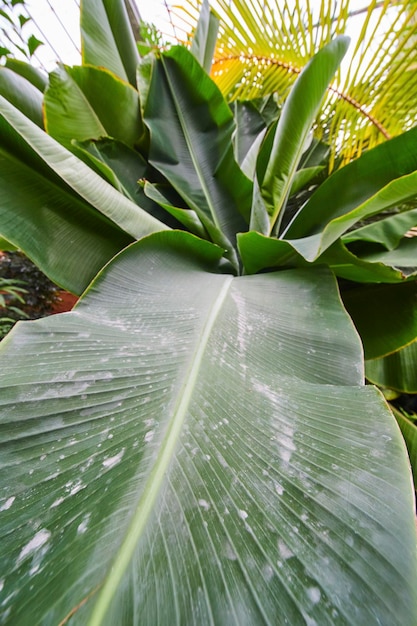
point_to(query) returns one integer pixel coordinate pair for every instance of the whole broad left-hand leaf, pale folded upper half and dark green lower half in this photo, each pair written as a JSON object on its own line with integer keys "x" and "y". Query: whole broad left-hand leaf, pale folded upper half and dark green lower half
{"x": 54, "y": 204}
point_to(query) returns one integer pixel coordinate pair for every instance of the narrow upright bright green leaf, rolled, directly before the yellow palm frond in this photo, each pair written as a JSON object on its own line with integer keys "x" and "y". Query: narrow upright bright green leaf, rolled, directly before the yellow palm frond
{"x": 294, "y": 127}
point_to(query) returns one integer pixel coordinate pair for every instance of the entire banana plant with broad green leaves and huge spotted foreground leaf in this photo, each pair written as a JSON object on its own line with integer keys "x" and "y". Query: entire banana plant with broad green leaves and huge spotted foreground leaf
{"x": 194, "y": 442}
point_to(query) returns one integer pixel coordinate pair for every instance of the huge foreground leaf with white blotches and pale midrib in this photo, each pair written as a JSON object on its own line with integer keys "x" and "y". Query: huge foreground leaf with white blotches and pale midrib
{"x": 187, "y": 447}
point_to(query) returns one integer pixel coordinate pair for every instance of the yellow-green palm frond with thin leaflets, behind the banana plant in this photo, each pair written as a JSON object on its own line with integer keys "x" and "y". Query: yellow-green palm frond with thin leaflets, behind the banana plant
{"x": 263, "y": 45}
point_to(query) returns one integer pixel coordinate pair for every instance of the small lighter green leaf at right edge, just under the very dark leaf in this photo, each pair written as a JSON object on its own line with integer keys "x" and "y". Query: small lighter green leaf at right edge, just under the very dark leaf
{"x": 395, "y": 371}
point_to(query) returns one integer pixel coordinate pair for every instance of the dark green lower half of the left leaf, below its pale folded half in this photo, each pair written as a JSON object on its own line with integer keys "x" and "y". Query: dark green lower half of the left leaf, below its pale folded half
{"x": 58, "y": 230}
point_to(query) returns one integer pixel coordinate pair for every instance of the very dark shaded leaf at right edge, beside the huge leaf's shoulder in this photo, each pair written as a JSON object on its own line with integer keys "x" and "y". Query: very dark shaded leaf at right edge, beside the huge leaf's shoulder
{"x": 385, "y": 316}
